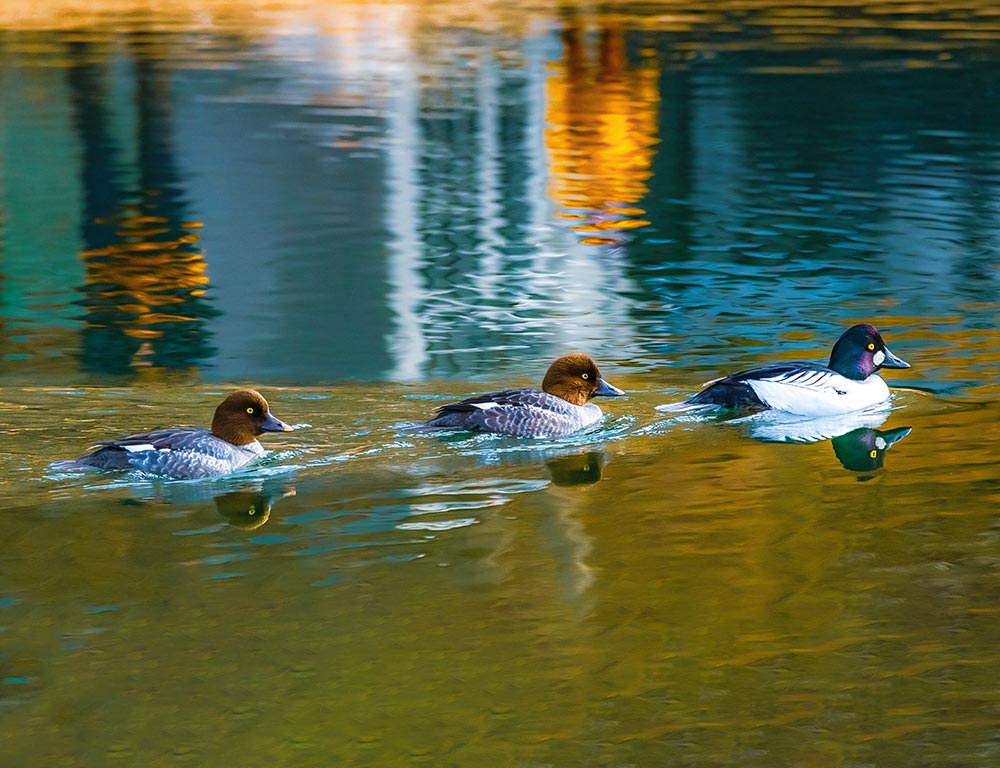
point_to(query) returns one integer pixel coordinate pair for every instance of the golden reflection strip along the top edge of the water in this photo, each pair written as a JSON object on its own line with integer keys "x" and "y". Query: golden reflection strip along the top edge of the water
{"x": 717, "y": 25}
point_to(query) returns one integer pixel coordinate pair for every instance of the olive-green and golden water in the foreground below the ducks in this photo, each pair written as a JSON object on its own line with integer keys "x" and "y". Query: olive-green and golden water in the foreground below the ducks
{"x": 656, "y": 592}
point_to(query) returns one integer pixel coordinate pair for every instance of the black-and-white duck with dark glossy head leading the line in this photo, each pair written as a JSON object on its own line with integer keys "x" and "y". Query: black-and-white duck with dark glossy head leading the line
{"x": 848, "y": 383}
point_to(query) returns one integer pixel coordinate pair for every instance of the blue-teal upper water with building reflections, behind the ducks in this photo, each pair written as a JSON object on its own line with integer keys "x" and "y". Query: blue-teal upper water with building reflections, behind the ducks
{"x": 490, "y": 190}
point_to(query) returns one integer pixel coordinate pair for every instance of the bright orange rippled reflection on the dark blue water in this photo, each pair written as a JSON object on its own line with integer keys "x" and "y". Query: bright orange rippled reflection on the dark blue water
{"x": 601, "y": 117}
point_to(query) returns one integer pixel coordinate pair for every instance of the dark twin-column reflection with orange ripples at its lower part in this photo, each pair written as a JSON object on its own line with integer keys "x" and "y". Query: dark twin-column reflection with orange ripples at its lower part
{"x": 146, "y": 276}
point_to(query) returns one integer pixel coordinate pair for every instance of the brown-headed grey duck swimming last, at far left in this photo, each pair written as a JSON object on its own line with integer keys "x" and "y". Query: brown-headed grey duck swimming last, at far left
{"x": 187, "y": 452}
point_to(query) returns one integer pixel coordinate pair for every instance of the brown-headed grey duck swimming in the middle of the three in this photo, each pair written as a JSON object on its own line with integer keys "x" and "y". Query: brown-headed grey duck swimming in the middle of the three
{"x": 562, "y": 405}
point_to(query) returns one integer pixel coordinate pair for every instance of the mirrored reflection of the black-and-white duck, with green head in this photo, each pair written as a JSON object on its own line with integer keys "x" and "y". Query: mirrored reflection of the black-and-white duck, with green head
{"x": 857, "y": 441}
